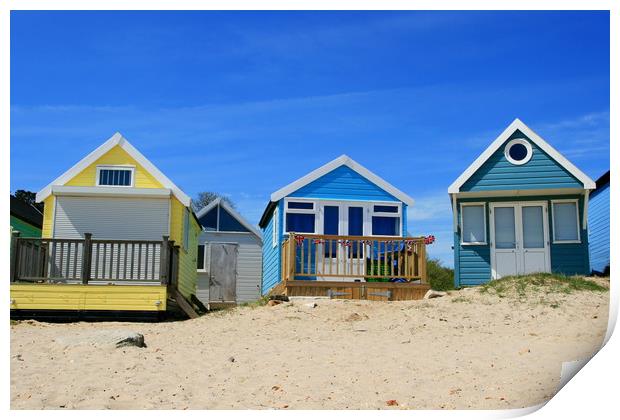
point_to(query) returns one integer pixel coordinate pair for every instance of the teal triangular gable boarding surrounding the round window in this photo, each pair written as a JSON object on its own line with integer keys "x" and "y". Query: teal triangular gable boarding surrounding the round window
{"x": 541, "y": 172}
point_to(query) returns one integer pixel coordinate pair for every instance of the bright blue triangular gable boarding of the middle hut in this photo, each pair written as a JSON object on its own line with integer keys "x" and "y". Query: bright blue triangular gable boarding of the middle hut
{"x": 343, "y": 183}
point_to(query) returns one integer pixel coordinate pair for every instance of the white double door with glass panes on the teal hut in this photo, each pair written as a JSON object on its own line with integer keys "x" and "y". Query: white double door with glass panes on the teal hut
{"x": 519, "y": 238}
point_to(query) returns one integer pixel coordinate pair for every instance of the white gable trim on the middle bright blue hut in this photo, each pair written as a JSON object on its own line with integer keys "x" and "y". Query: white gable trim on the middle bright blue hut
{"x": 346, "y": 161}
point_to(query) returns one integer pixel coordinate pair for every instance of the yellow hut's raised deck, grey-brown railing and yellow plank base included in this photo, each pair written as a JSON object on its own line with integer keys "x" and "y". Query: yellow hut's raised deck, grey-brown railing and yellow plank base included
{"x": 56, "y": 274}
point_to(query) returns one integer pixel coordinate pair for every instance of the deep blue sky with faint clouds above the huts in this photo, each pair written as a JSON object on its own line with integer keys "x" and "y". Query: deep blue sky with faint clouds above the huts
{"x": 244, "y": 103}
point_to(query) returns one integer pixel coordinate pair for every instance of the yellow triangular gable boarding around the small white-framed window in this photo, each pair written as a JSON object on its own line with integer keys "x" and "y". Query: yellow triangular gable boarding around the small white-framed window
{"x": 115, "y": 156}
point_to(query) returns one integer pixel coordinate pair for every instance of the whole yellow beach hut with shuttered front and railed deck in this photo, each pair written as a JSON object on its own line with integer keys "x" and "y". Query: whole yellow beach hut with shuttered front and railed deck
{"x": 118, "y": 237}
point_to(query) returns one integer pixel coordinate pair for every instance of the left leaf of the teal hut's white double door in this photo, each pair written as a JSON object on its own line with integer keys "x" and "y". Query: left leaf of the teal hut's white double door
{"x": 504, "y": 240}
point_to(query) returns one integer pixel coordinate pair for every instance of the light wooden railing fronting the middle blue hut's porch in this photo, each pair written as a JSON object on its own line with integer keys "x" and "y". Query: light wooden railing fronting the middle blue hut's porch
{"x": 350, "y": 258}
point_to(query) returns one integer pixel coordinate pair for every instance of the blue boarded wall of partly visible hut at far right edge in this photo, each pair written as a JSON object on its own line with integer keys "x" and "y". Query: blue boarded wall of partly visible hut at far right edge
{"x": 598, "y": 216}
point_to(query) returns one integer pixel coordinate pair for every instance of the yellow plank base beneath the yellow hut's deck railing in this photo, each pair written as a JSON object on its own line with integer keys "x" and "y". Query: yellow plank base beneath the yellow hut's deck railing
{"x": 88, "y": 297}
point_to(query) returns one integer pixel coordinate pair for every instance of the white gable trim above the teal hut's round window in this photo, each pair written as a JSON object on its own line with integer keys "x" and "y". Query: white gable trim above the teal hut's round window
{"x": 517, "y": 124}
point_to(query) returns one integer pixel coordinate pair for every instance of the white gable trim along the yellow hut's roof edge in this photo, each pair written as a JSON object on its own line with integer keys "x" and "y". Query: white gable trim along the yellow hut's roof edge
{"x": 116, "y": 140}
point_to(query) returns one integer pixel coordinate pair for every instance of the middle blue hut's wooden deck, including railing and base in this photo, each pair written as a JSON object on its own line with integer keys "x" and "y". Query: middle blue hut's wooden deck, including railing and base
{"x": 354, "y": 267}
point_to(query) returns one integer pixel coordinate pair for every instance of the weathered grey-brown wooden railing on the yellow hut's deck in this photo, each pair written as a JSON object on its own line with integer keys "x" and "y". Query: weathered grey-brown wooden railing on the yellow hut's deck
{"x": 54, "y": 260}
